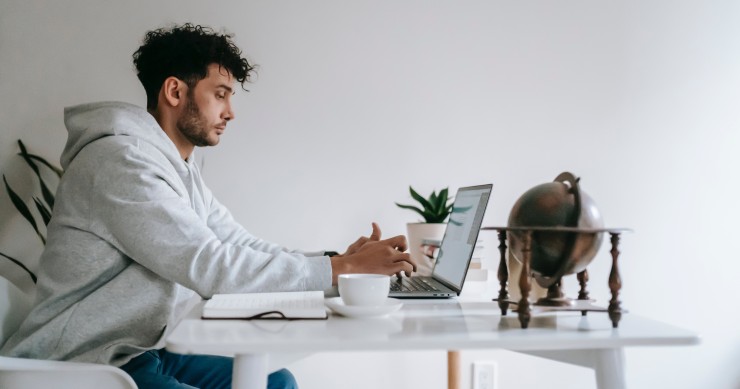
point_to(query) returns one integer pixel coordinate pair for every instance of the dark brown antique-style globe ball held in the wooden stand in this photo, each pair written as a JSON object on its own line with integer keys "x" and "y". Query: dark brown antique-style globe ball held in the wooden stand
{"x": 554, "y": 254}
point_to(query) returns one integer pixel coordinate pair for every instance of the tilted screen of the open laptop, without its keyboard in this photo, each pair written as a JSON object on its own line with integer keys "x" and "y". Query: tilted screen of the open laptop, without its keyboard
{"x": 461, "y": 234}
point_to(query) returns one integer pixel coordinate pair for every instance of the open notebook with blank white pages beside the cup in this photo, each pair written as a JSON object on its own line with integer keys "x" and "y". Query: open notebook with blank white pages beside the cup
{"x": 277, "y": 306}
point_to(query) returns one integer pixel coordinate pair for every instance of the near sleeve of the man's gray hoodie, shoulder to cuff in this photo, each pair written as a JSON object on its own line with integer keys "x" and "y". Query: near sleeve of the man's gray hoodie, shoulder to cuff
{"x": 139, "y": 206}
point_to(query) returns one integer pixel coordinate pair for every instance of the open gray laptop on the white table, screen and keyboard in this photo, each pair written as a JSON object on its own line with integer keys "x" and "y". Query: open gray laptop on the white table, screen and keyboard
{"x": 455, "y": 251}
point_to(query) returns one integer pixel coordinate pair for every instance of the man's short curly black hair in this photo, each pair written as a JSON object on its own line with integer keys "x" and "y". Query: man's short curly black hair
{"x": 186, "y": 52}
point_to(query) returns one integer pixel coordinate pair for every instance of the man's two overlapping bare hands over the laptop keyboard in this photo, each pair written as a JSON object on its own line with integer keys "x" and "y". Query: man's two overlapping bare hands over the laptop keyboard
{"x": 374, "y": 256}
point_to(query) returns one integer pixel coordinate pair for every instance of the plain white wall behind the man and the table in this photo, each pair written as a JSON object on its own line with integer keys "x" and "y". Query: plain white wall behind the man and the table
{"x": 357, "y": 100}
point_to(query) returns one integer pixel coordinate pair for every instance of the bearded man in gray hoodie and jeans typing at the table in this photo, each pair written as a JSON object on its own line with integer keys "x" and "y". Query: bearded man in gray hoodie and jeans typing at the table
{"x": 136, "y": 236}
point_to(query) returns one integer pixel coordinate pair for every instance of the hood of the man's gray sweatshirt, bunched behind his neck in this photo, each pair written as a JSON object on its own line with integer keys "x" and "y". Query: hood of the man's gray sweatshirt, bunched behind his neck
{"x": 87, "y": 123}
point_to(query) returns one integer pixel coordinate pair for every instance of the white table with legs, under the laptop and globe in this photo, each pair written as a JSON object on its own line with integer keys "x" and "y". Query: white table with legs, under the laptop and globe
{"x": 586, "y": 341}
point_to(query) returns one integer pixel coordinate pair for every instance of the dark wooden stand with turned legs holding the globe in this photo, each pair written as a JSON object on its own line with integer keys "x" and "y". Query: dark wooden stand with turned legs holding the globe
{"x": 556, "y": 300}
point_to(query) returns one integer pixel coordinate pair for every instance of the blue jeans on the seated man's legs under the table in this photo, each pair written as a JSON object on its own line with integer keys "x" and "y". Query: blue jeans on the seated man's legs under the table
{"x": 159, "y": 369}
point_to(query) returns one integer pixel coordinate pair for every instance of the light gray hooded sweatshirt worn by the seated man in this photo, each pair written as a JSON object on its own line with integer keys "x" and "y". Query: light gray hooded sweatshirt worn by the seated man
{"x": 134, "y": 236}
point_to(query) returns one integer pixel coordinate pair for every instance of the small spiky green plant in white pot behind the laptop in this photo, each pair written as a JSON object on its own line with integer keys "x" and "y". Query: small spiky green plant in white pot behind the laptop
{"x": 434, "y": 211}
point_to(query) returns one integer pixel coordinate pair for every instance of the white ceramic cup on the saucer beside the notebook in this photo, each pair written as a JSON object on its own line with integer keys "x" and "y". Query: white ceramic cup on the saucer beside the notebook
{"x": 364, "y": 289}
